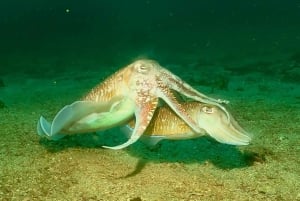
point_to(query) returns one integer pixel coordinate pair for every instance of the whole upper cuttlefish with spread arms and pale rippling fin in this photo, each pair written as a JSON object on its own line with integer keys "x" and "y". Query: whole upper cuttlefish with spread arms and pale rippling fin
{"x": 132, "y": 91}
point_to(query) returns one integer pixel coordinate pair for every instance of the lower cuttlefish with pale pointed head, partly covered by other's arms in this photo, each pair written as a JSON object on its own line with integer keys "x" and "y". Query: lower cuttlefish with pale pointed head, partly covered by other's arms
{"x": 211, "y": 119}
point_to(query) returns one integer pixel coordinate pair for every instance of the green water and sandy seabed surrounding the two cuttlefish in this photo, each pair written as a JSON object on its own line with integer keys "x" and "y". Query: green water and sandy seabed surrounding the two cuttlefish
{"x": 53, "y": 52}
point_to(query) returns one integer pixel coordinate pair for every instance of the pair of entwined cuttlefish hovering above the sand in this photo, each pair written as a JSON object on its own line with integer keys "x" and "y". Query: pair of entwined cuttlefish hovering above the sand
{"x": 144, "y": 96}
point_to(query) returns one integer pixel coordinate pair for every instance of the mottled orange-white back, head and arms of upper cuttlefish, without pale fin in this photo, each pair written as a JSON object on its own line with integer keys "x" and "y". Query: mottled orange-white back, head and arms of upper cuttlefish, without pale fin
{"x": 144, "y": 82}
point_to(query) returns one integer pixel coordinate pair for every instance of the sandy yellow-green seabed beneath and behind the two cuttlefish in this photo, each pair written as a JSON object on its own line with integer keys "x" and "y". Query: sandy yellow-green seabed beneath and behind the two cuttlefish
{"x": 77, "y": 168}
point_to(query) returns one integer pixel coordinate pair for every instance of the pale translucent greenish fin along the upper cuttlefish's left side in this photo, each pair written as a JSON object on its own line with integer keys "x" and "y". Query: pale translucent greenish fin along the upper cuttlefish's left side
{"x": 86, "y": 116}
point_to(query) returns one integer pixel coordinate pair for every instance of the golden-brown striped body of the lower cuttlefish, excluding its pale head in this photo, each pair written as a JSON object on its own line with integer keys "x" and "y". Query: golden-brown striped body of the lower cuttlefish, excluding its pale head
{"x": 166, "y": 122}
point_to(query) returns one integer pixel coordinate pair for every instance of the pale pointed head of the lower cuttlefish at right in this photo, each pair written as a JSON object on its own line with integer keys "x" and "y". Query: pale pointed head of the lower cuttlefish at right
{"x": 215, "y": 122}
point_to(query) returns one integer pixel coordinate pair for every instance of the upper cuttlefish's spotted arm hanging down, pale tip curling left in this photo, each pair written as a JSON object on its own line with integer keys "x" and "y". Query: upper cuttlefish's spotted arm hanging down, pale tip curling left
{"x": 143, "y": 114}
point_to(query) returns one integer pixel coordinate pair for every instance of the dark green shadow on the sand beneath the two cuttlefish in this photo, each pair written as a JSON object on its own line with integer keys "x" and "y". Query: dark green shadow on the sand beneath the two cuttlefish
{"x": 200, "y": 150}
